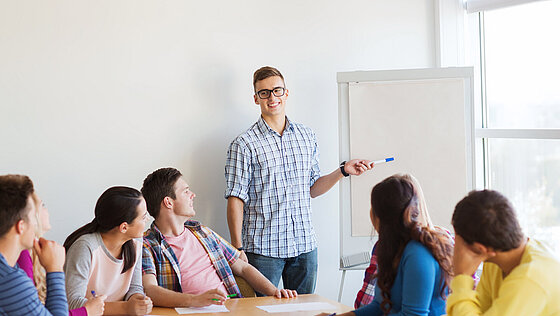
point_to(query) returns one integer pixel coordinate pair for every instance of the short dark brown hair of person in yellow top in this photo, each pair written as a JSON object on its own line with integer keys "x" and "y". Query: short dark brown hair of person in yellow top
{"x": 487, "y": 217}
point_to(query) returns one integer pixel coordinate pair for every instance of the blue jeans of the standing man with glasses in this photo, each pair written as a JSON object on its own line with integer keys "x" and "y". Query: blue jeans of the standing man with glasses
{"x": 298, "y": 273}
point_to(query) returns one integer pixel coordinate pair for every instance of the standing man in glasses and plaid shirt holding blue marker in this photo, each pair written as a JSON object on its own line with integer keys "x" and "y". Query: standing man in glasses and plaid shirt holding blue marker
{"x": 271, "y": 172}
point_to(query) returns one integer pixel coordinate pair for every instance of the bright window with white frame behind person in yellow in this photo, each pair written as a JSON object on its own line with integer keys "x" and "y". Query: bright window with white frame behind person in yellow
{"x": 519, "y": 112}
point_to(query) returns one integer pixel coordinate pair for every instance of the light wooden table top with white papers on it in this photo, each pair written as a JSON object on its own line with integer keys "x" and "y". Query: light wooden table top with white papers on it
{"x": 247, "y": 306}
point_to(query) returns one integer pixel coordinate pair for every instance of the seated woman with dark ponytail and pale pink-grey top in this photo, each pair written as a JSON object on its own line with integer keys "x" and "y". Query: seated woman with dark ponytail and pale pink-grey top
{"x": 103, "y": 257}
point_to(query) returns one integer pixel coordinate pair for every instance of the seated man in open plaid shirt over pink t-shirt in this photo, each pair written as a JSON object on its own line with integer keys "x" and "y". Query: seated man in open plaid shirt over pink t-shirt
{"x": 185, "y": 263}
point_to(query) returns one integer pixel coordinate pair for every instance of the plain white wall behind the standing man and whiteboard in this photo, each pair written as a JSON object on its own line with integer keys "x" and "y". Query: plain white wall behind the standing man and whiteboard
{"x": 100, "y": 93}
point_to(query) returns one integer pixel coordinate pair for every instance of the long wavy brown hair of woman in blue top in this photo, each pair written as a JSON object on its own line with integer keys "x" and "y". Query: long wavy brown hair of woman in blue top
{"x": 396, "y": 205}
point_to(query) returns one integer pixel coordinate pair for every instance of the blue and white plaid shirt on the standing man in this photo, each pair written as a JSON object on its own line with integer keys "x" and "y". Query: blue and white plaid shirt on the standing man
{"x": 272, "y": 174}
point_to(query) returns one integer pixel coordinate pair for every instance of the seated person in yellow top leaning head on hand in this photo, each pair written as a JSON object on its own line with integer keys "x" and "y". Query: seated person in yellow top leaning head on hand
{"x": 520, "y": 276}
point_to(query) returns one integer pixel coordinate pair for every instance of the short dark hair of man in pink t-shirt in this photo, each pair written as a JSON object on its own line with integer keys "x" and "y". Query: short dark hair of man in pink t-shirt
{"x": 157, "y": 186}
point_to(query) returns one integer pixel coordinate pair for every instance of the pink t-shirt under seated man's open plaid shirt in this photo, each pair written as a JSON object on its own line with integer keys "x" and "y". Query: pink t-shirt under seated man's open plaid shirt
{"x": 198, "y": 274}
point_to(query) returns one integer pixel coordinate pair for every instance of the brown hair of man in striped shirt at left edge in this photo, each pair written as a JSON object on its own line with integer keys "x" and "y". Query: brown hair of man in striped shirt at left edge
{"x": 14, "y": 194}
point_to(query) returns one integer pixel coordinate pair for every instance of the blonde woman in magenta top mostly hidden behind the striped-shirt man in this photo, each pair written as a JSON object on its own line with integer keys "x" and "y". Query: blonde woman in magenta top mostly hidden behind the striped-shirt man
{"x": 28, "y": 261}
